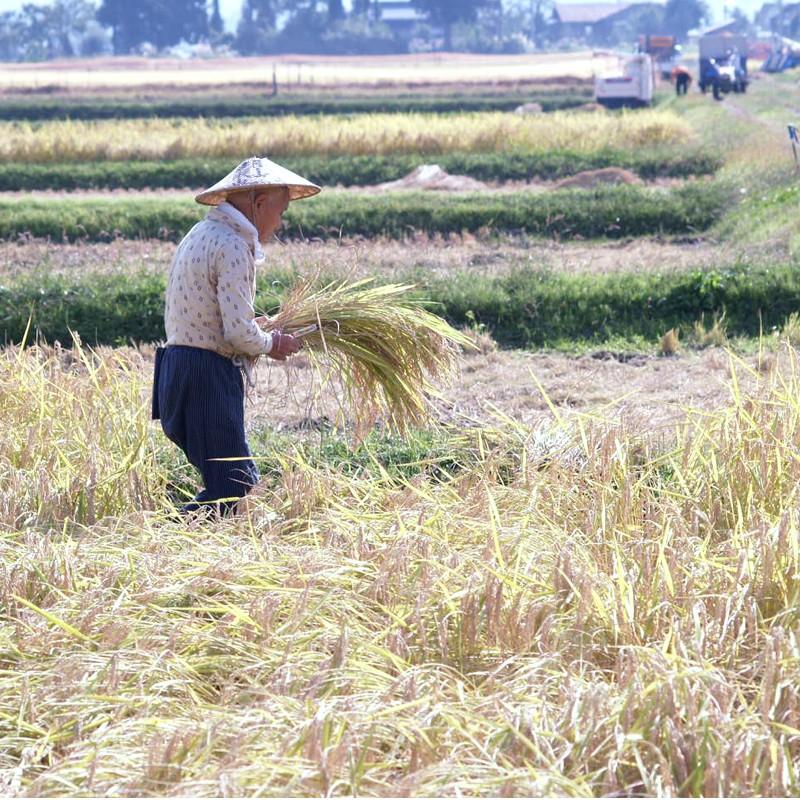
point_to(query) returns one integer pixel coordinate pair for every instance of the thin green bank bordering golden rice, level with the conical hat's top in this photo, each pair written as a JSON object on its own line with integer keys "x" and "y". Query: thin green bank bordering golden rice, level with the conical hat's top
{"x": 665, "y": 162}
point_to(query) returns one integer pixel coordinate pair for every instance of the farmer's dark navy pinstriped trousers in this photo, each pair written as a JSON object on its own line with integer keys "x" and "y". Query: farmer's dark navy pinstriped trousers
{"x": 199, "y": 397}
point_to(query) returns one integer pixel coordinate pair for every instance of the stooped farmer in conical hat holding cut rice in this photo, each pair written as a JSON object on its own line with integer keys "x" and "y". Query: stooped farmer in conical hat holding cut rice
{"x": 213, "y": 334}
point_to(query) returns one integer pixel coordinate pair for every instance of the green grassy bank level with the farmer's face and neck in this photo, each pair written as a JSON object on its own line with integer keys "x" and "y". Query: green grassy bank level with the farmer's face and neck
{"x": 612, "y": 212}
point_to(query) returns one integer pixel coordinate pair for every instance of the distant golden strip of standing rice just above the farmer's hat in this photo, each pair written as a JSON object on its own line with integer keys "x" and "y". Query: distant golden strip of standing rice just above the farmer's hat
{"x": 361, "y": 134}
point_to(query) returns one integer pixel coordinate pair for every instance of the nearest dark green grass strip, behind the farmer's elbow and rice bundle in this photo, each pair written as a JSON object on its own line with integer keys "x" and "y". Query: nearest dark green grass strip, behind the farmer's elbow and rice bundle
{"x": 526, "y": 308}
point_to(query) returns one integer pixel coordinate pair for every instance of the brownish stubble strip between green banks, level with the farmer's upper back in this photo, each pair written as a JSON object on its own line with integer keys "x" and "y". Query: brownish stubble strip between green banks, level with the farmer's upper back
{"x": 391, "y": 259}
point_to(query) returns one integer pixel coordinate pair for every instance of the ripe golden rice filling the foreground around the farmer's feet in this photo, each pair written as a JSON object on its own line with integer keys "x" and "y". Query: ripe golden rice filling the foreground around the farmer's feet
{"x": 583, "y": 612}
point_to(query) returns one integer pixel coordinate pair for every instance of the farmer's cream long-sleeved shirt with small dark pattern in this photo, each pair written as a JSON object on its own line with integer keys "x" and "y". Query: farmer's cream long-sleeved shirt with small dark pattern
{"x": 212, "y": 285}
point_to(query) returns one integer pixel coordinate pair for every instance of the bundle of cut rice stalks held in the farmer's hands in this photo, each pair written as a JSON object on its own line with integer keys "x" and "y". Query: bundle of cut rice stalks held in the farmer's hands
{"x": 386, "y": 348}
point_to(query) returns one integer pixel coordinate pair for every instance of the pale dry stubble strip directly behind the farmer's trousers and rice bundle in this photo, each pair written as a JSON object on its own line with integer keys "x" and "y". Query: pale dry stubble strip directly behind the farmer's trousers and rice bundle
{"x": 645, "y": 393}
